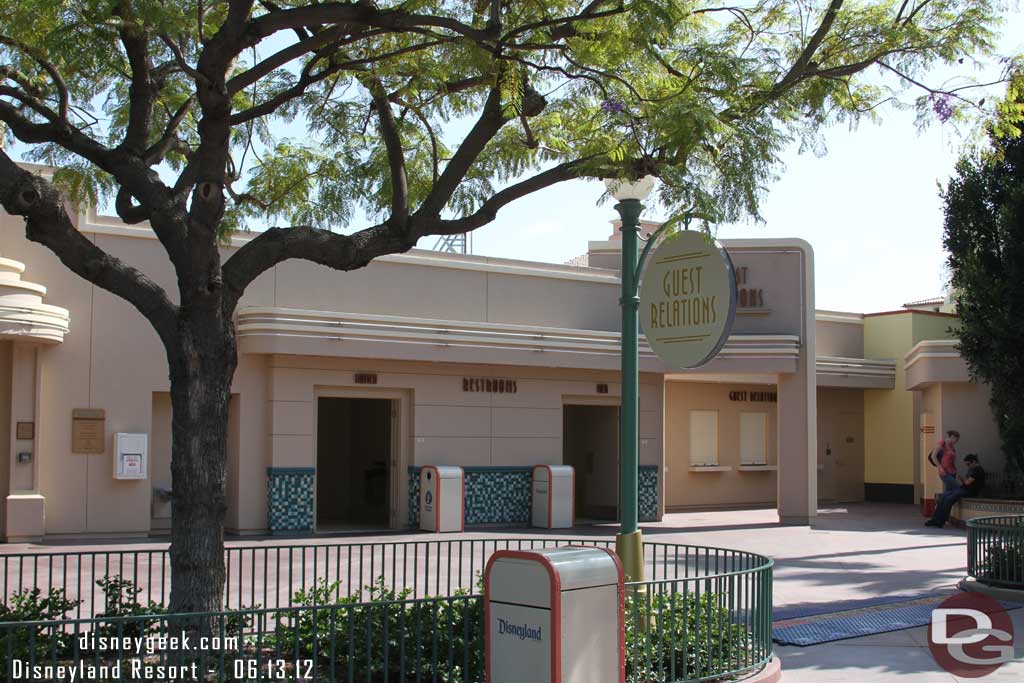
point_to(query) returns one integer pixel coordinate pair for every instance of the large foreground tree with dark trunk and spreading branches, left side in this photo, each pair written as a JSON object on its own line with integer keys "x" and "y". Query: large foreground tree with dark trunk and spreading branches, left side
{"x": 177, "y": 112}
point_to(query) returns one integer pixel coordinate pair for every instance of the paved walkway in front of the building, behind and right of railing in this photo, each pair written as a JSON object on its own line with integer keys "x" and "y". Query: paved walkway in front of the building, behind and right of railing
{"x": 854, "y": 552}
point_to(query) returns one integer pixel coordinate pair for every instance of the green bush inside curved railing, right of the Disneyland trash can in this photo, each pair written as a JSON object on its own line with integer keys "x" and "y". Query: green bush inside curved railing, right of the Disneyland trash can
{"x": 684, "y": 634}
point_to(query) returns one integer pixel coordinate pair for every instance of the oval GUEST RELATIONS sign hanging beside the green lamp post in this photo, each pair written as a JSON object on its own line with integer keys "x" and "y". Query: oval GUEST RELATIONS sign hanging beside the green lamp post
{"x": 689, "y": 300}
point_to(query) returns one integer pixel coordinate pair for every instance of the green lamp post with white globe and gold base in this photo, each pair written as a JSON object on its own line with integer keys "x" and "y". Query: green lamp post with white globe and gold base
{"x": 629, "y": 542}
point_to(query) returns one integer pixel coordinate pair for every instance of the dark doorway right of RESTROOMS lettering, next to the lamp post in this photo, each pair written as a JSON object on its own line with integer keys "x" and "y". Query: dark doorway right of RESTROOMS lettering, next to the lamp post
{"x": 590, "y": 445}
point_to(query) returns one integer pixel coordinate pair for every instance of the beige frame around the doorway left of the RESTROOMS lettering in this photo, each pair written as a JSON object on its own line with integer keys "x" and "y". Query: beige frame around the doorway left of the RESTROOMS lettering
{"x": 401, "y": 457}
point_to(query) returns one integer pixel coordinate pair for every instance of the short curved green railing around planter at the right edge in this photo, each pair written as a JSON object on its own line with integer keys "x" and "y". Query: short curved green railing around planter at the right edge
{"x": 996, "y": 550}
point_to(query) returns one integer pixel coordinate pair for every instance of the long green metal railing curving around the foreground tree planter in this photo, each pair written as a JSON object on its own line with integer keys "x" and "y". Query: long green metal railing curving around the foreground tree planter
{"x": 392, "y": 612}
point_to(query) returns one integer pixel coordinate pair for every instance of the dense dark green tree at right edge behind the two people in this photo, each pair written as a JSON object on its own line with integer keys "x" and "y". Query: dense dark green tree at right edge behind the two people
{"x": 985, "y": 235}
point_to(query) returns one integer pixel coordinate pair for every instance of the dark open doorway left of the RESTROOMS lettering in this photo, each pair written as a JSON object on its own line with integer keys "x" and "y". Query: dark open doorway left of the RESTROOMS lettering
{"x": 354, "y": 457}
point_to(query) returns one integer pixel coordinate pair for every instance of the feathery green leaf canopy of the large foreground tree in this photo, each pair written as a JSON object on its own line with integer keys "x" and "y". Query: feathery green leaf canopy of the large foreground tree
{"x": 704, "y": 96}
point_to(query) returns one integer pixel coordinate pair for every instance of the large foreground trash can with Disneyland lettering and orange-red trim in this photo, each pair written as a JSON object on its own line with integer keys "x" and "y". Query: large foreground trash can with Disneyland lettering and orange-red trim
{"x": 554, "y": 616}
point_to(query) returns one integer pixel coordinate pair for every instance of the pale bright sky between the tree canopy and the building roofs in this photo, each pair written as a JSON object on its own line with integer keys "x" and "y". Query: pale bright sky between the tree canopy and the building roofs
{"x": 870, "y": 208}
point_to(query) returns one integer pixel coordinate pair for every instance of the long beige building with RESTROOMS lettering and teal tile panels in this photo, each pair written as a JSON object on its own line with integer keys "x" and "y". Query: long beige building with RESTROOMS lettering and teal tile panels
{"x": 348, "y": 383}
